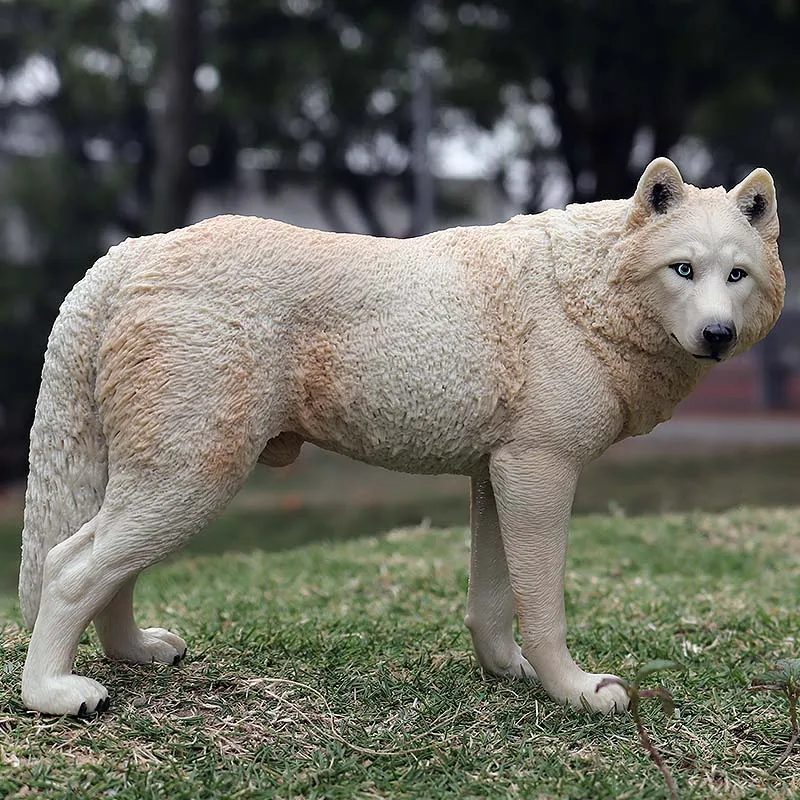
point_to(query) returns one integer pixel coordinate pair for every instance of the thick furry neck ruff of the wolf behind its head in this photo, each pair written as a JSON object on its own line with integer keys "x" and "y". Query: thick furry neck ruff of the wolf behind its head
{"x": 648, "y": 375}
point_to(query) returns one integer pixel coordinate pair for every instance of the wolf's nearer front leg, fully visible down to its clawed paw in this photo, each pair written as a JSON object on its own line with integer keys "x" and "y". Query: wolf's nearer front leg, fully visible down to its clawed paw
{"x": 534, "y": 490}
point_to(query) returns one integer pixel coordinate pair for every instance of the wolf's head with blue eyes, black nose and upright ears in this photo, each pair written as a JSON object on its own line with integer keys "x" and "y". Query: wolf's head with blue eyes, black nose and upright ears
{"x": 706, "y": 260}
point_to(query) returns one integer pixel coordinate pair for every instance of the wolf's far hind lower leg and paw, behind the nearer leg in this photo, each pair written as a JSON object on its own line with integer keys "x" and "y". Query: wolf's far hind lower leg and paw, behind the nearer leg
{"x": 123, "y": 640}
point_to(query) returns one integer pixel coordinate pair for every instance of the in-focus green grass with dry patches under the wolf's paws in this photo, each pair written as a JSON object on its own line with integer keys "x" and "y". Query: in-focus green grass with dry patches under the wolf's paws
{"x": 343, "y": 670}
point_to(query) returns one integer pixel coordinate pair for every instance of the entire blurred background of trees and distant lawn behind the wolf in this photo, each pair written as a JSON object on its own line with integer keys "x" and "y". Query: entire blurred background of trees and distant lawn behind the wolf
{"x": 123, "y": 117}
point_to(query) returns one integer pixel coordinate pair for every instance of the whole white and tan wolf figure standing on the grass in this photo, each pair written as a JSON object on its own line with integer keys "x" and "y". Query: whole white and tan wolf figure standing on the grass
{"x": 511, "y": 353}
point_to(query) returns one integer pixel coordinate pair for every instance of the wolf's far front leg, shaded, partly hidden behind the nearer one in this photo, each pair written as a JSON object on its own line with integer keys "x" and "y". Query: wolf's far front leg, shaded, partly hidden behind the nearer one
{"x": 490, "y": 604}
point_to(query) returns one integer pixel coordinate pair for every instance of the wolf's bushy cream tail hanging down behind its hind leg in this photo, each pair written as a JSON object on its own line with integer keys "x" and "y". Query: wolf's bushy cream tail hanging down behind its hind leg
{"x": 68, "y": 468}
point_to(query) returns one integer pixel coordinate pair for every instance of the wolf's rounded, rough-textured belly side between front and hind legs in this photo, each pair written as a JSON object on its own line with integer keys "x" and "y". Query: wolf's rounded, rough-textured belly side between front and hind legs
{"x": 414, "y": 394}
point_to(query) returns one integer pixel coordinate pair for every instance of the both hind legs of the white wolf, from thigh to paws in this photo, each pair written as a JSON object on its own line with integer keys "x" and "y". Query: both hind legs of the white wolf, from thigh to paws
{"x": 186, "y": 409}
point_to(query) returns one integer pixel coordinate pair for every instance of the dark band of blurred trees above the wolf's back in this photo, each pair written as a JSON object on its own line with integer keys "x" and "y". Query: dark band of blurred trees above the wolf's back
{"x": 114, "y": 113}
